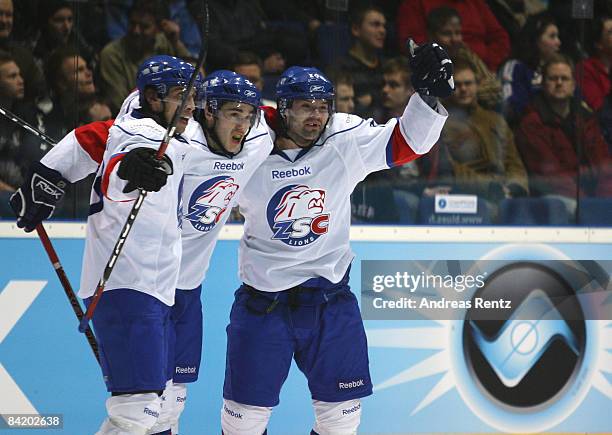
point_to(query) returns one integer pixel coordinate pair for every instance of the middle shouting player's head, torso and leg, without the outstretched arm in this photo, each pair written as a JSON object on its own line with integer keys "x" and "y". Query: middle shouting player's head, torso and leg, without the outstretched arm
{"x": 233, "y": 145}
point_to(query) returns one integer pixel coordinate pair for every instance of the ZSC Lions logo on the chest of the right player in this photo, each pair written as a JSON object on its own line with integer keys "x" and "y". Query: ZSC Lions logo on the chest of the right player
{"x": 295, "y": 215}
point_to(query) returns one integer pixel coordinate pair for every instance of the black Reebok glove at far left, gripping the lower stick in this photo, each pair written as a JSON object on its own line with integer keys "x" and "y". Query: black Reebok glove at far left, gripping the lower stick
{"x": 35, "y": 201}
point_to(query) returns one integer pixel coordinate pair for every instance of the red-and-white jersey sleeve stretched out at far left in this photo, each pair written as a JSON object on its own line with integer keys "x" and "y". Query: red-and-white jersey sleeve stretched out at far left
{"x": 80, "y": 152}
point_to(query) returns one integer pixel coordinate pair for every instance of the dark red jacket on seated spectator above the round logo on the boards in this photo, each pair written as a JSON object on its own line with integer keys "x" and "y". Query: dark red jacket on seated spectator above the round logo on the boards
{"x": 546, "y": 143}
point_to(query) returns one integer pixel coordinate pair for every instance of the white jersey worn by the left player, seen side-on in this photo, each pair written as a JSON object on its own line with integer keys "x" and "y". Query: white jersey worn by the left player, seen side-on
{"x": 150, "y": 258}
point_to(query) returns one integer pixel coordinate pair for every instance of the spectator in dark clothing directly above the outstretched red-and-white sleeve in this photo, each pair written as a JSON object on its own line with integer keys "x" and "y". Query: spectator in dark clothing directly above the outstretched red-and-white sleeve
{"x": 72, "y": 90}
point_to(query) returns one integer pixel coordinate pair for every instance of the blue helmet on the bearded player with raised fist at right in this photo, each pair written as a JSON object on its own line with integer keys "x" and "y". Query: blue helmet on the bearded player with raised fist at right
{"x": 303, "y": 83}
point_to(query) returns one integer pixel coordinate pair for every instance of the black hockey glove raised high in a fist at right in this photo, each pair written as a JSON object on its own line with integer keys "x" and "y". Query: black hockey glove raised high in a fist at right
{"x": 432, "y": 70}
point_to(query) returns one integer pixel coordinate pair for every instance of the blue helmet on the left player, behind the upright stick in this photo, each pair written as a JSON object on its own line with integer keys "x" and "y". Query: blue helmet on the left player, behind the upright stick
{"x": 163, "y": 72}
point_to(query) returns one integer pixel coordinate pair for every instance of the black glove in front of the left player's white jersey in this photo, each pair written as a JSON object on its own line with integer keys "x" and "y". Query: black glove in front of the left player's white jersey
{"x": 143, "y": 171}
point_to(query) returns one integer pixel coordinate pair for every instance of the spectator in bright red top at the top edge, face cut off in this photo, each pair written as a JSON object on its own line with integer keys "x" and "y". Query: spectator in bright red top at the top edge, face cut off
{"x": 481, "y": 31}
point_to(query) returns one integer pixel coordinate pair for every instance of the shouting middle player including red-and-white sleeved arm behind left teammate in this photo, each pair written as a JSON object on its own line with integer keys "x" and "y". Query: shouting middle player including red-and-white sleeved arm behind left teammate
{"x": 227, "y": 149}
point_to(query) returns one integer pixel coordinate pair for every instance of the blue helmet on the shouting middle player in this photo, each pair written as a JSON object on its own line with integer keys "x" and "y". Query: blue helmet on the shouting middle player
{"x": 225, "y": 85}
